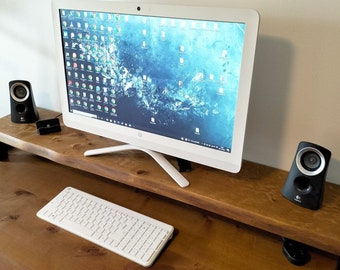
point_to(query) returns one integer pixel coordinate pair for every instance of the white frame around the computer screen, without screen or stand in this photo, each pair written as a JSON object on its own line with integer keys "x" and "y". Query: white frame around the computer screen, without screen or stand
{"x": 214, "y": 158}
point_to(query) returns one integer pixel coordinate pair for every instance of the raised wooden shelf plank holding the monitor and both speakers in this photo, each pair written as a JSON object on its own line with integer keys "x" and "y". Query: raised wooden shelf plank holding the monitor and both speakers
{"x": 252, "y": 196}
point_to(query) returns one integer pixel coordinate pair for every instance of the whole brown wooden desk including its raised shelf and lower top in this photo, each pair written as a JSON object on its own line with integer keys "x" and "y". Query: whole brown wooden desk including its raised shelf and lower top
{"x": 216, "y": 217}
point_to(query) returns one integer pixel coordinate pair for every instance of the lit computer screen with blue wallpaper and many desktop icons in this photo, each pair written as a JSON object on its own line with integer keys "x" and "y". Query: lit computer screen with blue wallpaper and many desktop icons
{"x": 174, "y": 77}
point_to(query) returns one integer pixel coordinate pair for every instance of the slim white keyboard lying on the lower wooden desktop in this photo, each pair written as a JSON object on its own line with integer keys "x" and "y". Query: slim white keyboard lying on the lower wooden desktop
{"x": 123, "y": 231}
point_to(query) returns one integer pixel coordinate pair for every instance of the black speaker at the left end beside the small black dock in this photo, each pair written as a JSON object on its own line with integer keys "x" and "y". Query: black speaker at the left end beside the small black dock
{"x": 23, "y": 109}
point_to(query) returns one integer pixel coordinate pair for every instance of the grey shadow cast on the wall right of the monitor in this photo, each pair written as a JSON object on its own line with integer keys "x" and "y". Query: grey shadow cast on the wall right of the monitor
{"x": 268, "y": 101}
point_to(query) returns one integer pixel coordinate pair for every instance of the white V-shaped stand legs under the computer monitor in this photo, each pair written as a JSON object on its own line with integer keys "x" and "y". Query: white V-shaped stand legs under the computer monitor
{"x": 159, "y": 158}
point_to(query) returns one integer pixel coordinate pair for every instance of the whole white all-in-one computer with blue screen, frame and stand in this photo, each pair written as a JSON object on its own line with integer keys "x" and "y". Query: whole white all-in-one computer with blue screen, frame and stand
{"x": 164, "y": 79}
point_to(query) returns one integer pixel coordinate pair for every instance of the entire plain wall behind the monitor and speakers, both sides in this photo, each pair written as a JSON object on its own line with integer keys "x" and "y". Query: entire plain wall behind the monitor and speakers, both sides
{"x": 295, "y": 94}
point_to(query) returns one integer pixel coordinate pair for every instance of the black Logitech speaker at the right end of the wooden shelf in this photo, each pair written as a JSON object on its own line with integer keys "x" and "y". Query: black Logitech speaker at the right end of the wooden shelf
{"x": 306, "y": 180}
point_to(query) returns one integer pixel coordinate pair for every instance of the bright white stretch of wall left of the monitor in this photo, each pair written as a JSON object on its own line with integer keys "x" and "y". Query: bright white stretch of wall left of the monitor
{"x": 27, "y": 52}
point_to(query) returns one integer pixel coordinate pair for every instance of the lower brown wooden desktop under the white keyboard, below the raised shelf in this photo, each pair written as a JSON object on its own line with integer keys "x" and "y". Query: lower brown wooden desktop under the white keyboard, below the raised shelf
{"x": 202, "y": 240}
